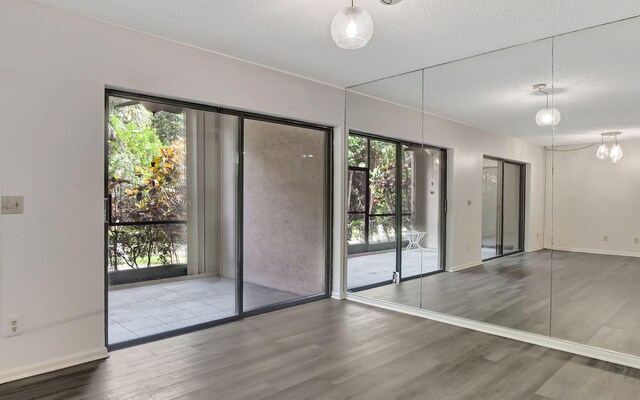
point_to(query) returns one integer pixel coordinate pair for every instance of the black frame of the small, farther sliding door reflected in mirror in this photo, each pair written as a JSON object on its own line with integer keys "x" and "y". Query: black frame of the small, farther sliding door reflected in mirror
{"x": 500, "y": 212}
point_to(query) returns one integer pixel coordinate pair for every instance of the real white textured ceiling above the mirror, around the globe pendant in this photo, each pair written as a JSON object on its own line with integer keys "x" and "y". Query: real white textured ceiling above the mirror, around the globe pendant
{"x": 293, "y": 35}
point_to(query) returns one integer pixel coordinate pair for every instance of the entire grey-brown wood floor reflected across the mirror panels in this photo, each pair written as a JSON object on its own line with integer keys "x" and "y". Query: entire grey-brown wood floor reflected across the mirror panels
{"x": 585, "y": 298}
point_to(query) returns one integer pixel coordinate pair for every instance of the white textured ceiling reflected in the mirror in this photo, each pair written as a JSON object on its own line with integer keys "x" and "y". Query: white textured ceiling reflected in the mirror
{"x": 594, "y": 72}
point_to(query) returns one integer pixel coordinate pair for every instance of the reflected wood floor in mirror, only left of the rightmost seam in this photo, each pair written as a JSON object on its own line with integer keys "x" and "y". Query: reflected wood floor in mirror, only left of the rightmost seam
{"x": 512, "y": 291}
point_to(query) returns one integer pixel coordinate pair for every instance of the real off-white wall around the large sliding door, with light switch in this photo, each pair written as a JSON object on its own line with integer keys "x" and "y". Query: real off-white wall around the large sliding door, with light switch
{"x": 53, "y": 71}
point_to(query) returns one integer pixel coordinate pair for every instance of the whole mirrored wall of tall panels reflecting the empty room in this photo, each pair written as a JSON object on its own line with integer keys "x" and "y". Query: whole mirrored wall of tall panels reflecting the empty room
{"x": 500, "y": 188}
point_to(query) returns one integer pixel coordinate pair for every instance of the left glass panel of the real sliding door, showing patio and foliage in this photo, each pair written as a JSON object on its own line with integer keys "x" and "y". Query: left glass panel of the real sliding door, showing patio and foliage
{"x": 170, "y": 222}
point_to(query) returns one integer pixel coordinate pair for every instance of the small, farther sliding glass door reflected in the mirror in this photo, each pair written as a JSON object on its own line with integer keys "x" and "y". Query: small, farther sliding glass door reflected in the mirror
{"x": 502, "y": 207}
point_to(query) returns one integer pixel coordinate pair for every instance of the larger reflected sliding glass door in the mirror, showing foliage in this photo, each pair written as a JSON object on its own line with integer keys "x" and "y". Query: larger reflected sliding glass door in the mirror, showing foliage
{"x": 394, "y": 211}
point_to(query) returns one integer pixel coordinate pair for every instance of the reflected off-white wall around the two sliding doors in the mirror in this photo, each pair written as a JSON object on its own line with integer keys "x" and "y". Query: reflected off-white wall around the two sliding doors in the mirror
{"x": 467, "y": 146}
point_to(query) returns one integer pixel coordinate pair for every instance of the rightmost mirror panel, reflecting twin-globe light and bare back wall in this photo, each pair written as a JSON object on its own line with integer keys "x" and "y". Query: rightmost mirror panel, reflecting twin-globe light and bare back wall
{"x": 592, "y": 176}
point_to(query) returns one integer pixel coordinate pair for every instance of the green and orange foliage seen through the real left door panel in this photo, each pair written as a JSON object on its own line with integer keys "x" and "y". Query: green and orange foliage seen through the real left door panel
{"x": 147, "y": 182}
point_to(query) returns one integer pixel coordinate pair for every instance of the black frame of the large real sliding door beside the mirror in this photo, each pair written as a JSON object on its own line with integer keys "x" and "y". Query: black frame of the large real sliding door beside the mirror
{"x": 240, "y": 313}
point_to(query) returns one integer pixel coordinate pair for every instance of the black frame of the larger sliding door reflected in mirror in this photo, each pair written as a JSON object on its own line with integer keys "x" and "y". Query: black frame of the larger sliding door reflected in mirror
{"x": 398, "y": 214}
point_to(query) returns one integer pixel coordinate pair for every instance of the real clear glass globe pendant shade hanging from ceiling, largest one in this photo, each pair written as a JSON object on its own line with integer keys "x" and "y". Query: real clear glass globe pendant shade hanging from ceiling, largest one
{"x": 352, "y": 28}
